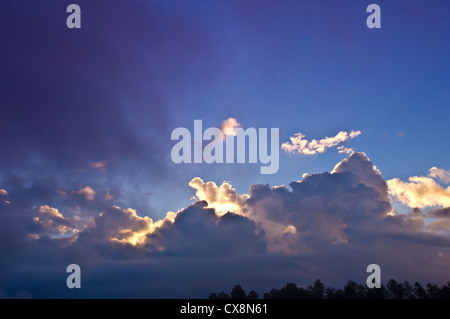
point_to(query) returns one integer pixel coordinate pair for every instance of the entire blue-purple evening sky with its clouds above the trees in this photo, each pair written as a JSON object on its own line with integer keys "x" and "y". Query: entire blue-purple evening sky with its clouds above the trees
{"x": 86, "y": 174}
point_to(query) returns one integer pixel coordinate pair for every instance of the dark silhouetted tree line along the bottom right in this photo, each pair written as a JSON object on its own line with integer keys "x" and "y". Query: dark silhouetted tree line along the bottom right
{"x": 352, "y": 290}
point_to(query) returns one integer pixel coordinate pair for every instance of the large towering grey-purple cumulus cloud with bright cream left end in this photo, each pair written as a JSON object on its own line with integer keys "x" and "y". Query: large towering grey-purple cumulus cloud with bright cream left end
{"x": 289, "y": 218}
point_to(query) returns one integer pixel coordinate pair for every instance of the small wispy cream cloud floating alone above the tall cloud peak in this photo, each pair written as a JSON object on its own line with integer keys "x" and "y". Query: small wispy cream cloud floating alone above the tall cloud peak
{"x": 298, "y": 143}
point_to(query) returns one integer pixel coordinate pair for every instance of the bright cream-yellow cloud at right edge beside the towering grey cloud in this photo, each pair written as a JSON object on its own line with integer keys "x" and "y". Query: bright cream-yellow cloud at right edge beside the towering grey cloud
{"x": 420, "y": 192}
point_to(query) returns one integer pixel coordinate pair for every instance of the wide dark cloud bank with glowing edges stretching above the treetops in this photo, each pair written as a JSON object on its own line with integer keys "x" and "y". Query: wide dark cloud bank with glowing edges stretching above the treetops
{"x": 328, "y": 226}
